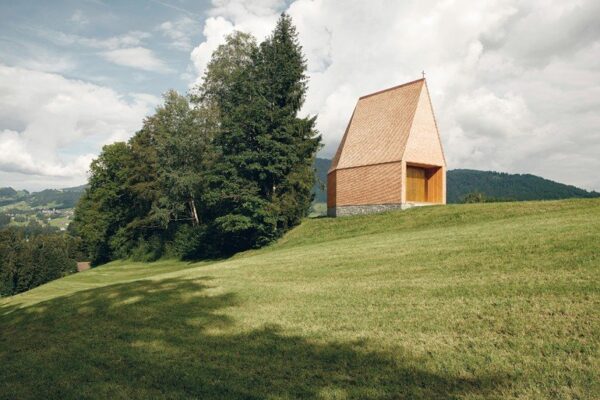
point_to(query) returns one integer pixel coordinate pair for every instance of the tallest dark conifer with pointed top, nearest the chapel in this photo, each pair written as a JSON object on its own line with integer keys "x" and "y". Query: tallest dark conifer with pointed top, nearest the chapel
{"x": 290, "y": 143}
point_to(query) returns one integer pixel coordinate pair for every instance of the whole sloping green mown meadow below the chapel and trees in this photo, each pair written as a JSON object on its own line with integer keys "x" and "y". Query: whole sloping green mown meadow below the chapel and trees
{"x": 461, "y": 302}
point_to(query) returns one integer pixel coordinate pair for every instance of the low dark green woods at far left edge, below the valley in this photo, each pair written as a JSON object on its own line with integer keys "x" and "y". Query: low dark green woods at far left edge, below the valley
{"x": 29, "y": 260}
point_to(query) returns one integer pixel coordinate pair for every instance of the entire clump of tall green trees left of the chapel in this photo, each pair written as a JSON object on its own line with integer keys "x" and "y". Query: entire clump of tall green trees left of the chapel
{"x": 226, "y": 168}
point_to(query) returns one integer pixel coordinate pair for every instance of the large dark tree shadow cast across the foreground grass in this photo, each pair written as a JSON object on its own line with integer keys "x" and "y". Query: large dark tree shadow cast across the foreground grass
{"x": 172, "y": 339}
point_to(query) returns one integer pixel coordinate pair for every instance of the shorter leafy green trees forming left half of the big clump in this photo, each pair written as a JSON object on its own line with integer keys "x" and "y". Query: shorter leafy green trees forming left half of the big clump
{"x": 140, "y": 191}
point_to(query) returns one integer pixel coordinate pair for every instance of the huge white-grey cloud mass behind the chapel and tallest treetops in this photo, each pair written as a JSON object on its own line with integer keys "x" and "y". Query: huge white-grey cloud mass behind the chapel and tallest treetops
{"x": 515, "y": 84}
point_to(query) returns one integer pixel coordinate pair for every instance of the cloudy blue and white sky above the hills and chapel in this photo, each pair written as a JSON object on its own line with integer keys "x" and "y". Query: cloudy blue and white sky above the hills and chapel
{"x": 515, "y": 85}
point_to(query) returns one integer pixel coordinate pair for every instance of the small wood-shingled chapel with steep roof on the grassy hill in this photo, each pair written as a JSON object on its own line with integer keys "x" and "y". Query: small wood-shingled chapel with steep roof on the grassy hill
{"x": 390, "y": 156}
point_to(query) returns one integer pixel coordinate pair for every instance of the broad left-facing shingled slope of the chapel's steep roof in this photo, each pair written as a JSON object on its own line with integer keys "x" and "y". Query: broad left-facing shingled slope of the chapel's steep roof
{"x": 379, "y": 128}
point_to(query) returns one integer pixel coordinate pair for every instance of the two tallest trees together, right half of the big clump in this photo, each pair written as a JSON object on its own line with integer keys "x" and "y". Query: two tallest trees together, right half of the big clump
{"x": 261, "y": 181}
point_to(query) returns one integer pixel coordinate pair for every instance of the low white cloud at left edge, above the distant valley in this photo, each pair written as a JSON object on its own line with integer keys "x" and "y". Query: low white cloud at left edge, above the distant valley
{"x": 50, "y": 126}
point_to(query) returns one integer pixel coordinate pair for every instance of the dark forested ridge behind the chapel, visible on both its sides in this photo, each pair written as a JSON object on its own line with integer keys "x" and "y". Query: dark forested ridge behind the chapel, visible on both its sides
{"x": 493, "y": 185}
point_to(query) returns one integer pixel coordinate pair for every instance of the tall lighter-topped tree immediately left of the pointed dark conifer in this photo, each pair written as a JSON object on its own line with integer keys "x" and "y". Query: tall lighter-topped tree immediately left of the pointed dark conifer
{"x": 235, "y": 212}
